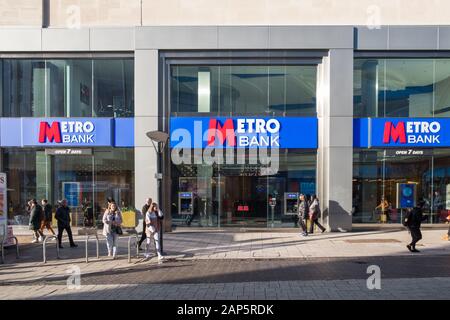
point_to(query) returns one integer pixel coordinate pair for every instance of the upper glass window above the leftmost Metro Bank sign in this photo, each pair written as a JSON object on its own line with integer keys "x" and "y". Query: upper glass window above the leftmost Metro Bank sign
{"x": 67, "y": 88}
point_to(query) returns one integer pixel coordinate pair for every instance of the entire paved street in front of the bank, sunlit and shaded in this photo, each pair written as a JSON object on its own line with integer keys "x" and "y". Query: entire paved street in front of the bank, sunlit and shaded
{"x": 199, "y": 263}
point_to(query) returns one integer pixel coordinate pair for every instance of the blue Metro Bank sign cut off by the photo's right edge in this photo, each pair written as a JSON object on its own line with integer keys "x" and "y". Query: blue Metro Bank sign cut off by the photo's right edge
{"x": 409, "y": 132}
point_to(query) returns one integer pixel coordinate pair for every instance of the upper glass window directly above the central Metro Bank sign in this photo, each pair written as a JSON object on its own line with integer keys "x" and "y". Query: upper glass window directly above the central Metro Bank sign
{"x": 243, "y": 90}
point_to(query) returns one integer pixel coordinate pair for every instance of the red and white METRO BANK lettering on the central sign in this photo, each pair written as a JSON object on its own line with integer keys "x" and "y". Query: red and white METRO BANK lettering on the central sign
{"x": 243, "y": 132}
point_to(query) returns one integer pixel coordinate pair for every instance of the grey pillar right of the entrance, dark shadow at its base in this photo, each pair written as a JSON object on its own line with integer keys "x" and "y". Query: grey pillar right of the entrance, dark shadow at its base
{"x": 335, "y": 152}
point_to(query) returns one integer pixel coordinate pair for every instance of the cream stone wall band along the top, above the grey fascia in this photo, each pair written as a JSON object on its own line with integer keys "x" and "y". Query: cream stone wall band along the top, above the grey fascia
{"x": 88, "y": 13}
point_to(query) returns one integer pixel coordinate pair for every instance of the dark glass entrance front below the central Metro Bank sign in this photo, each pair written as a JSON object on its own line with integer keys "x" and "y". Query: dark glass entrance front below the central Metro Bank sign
{"x": 238, "y": 192}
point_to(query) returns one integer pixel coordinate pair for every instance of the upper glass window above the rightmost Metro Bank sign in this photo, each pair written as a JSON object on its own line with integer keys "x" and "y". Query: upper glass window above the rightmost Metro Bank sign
{"x": 397, "y": 87}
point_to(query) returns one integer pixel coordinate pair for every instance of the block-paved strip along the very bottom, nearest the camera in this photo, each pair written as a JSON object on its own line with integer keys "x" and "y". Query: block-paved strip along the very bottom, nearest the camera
{"x": 427, "y": 288}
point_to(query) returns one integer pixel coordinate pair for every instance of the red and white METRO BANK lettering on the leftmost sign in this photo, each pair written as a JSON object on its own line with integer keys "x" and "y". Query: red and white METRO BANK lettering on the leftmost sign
{"x": 70, "y": 132}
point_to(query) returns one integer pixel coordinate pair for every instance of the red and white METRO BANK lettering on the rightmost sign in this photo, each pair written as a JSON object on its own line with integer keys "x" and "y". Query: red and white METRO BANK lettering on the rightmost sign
{"x": 412, "y": 132}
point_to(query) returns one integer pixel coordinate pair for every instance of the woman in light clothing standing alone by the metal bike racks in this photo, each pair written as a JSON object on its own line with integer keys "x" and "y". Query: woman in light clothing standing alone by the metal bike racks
{"x": 112, "y": 221}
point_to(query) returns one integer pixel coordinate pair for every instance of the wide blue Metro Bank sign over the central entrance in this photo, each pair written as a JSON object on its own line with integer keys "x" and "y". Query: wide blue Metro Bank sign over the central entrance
{"x": 243, "y": 132}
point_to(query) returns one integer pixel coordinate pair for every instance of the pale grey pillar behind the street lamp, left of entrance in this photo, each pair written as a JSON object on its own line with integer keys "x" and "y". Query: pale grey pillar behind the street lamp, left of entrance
{"x": 146, "y": 119}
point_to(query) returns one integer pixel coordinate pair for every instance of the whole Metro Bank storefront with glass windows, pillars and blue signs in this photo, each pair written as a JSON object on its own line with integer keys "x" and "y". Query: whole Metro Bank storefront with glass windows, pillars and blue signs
{"x": 253, "y": 113}
